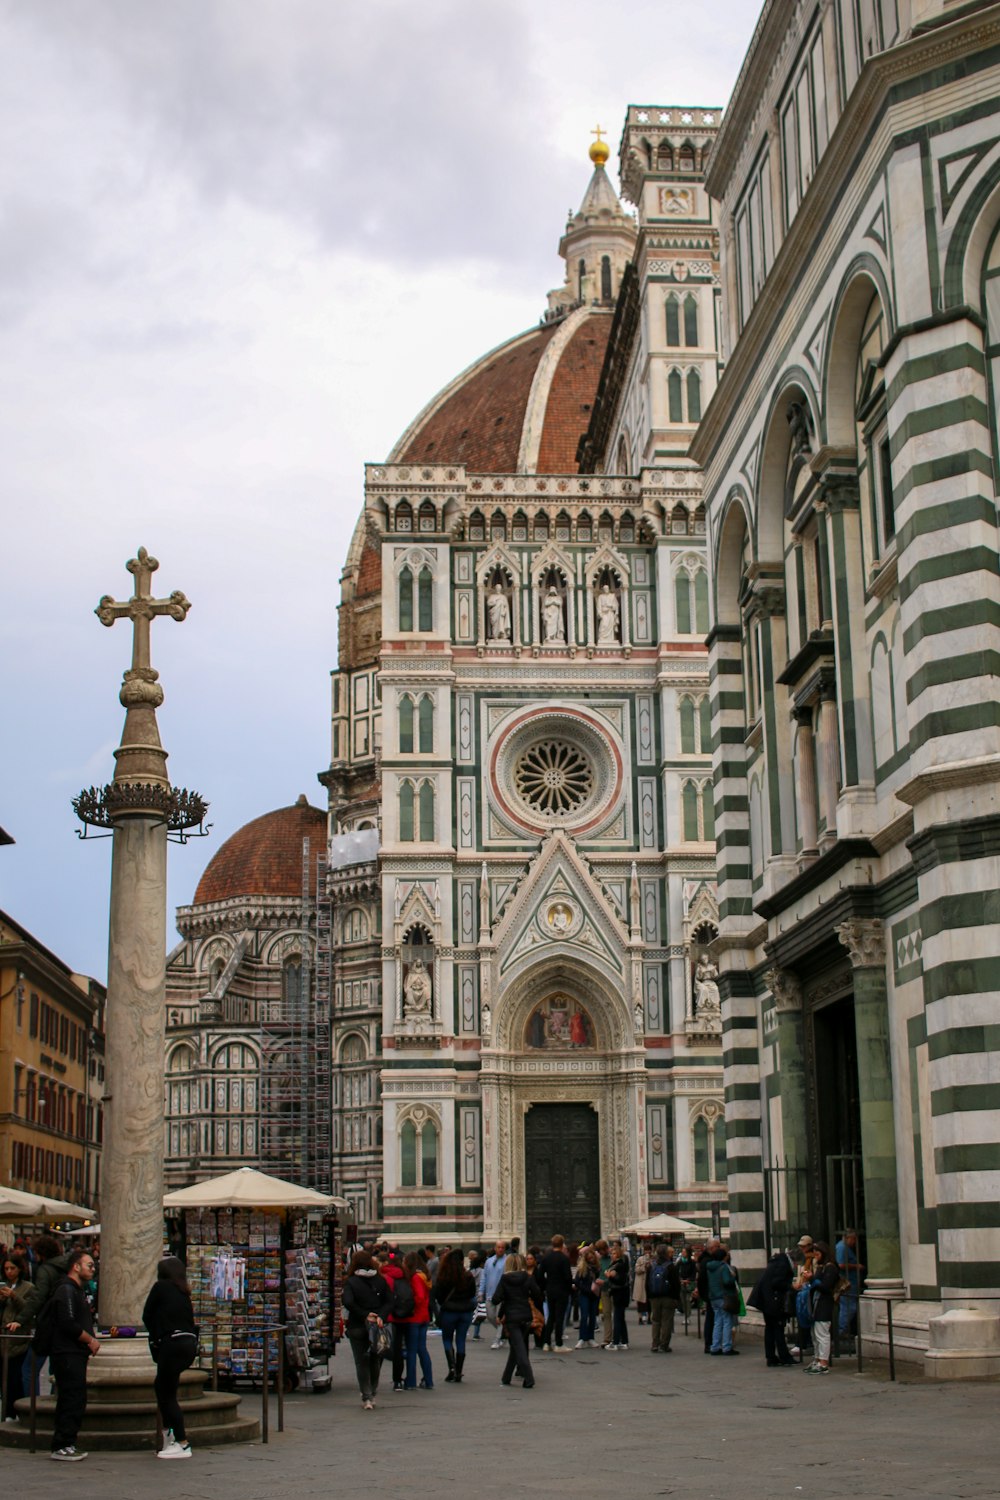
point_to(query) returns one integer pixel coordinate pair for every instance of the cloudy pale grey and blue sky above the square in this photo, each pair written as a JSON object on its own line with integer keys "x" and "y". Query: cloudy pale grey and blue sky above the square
{"x": 242, "y": 242}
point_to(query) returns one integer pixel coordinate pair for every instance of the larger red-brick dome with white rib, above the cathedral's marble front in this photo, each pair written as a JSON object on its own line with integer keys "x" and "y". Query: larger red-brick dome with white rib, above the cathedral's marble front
{"x": 521, "y": 409}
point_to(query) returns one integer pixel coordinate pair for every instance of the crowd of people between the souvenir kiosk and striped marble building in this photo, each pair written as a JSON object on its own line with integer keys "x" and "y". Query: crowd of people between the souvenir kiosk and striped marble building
{"x": 533, "y": 1301}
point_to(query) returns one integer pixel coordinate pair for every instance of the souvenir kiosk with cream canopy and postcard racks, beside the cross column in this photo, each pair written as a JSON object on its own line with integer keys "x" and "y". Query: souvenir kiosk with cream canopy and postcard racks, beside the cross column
{"x": 260, "y": 1253}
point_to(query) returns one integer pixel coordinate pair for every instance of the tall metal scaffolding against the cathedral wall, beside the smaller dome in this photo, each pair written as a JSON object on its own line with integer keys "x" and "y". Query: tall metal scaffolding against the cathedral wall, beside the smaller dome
{"x": 296, "y": 1100}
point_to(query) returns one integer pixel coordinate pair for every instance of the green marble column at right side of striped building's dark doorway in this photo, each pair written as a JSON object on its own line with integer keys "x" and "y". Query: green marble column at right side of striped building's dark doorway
{"x": 866, "y": 943}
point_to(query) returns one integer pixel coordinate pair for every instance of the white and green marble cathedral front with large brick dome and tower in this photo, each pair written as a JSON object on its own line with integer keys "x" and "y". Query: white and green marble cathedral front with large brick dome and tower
{"x": 521, "y": 712}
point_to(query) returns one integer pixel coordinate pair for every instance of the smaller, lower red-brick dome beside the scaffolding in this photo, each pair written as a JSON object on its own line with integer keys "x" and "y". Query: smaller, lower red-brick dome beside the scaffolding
{"x": 265, "y": 857}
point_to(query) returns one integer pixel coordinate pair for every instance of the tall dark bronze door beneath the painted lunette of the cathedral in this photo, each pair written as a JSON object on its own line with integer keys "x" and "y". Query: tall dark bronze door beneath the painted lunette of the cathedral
{"x": 563, "y": 1187}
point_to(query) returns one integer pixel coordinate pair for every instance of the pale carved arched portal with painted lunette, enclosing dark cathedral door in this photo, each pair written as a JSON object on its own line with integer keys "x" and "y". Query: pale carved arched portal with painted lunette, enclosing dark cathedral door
{"x": 566, "y": 1046}
